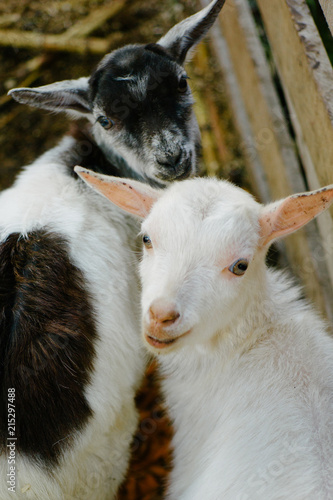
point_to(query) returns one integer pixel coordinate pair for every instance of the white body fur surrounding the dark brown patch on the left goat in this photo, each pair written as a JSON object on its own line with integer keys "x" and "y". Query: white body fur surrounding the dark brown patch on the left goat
{"x": 99, "y": 236}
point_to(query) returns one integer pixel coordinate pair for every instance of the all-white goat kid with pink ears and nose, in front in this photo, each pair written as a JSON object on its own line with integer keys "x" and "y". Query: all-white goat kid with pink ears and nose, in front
{"x": 247, "y": 364}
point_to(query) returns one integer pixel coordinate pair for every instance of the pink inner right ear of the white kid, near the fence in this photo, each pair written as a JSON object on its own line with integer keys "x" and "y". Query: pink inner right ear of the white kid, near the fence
{"x": 288, "y": 215}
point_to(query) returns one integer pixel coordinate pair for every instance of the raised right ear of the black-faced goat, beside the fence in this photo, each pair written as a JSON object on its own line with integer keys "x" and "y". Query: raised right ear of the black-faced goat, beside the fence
{"x": 184, "y": 35}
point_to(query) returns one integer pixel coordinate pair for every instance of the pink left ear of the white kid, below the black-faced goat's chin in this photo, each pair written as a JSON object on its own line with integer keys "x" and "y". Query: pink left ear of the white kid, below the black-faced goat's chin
{"x": 132, "y": 196}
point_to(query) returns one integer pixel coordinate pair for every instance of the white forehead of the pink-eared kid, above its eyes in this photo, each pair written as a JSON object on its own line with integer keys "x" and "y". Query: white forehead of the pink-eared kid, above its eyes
{"x": 195, "y": 208}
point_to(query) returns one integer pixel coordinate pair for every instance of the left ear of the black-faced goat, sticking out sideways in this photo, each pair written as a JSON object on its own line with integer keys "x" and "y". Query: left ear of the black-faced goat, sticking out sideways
{"x": 68, "y": 95}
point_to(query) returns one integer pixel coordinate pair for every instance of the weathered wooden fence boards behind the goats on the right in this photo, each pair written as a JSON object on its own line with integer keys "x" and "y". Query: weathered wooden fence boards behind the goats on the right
{"x": 280, "y": 81}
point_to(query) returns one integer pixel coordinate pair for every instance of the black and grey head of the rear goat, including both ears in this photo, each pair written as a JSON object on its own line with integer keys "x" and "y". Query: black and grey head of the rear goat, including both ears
{"x": 139, "y": 101}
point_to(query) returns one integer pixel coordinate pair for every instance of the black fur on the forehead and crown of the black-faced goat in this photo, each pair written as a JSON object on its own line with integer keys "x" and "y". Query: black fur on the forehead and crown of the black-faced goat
{"x": 163, "y": 103}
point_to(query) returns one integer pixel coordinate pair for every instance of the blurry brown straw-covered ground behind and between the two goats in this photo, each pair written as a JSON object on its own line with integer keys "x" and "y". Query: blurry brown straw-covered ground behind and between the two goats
{"x": 26, "y": 133}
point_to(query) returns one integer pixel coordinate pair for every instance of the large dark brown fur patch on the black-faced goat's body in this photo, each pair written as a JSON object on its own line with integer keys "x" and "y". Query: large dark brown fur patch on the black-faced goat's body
{"x": 47, "y": 336}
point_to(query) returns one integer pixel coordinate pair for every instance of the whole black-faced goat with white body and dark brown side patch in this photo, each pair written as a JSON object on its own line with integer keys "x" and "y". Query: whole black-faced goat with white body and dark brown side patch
{"x": 69, "y": 321}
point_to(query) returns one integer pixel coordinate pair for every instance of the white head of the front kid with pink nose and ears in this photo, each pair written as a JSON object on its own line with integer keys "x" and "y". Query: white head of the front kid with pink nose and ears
{"x": 205, "y": 244}
